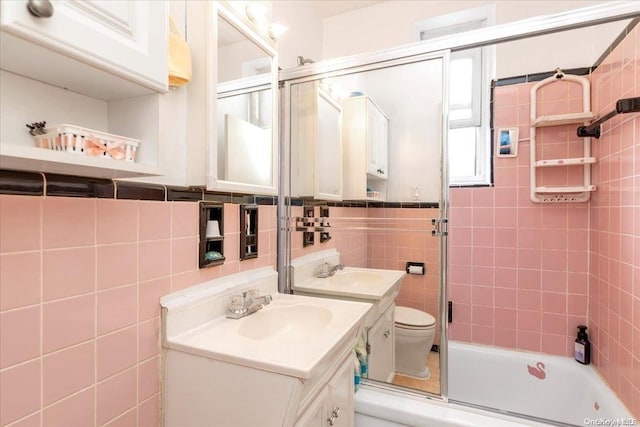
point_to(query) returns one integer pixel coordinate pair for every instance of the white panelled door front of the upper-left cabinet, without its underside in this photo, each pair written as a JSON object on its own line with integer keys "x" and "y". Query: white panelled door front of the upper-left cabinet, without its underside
{"x": 128, "y": 38}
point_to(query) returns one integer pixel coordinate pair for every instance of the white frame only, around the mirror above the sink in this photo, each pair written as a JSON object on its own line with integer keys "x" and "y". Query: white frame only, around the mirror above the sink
{"x": 224, "y": 11}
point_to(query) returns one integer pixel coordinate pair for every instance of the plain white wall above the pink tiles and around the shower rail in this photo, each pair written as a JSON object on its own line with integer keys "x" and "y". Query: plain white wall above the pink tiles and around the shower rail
{"x": 391, "y": 23}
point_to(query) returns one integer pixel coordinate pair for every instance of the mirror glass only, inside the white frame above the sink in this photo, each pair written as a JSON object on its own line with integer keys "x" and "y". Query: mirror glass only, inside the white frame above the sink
{"x": 245, "y": 146}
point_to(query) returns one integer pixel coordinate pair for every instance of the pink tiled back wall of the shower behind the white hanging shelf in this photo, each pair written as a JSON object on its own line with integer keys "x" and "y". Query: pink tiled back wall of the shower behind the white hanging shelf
{"x": 518, "y": 272}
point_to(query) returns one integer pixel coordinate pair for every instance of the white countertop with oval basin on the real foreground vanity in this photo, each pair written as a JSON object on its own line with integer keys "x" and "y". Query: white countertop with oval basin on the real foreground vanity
{"x": 293, "y": 335}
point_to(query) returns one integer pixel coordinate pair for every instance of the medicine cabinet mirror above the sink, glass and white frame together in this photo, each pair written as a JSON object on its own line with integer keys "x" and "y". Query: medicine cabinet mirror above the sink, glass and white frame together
{"x": 246, "y": 150}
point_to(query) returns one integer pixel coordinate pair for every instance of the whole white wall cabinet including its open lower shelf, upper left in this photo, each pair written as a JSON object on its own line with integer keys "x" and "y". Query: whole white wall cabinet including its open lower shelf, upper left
{"x": 97, "y": 65}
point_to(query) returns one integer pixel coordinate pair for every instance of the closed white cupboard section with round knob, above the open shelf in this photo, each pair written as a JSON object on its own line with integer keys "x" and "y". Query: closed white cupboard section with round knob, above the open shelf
{"x": 87, "y": 46}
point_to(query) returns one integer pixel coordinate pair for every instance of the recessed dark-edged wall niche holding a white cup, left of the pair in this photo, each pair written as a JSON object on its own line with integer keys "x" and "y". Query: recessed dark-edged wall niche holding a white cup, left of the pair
{"x": 211, "y": 250}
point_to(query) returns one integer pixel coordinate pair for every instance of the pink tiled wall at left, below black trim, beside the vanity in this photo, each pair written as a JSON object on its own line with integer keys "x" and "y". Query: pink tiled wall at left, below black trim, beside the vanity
{"x": 80, "y": 282}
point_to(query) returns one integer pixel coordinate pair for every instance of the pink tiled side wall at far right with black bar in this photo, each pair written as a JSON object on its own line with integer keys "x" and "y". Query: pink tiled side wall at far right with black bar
{"x": 614, "y": 280}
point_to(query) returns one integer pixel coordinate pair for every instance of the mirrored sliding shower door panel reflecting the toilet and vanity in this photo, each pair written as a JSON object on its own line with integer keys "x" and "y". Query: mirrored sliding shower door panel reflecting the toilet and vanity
{"x": 390, "y": 130}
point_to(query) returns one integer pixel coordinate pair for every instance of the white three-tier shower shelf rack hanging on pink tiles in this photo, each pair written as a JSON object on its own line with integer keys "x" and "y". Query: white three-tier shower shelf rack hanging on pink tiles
{"x": 554, "y": 194}
